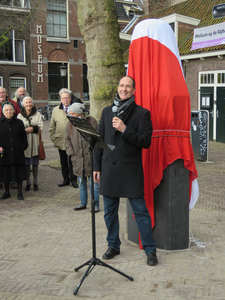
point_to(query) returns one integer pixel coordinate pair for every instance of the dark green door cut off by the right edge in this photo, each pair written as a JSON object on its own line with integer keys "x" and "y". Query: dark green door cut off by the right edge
{"x": 220, "y": 120}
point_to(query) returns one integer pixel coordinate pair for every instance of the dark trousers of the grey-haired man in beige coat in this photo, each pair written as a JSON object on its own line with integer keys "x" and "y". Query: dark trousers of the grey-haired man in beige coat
{"x": 66, "y": 166}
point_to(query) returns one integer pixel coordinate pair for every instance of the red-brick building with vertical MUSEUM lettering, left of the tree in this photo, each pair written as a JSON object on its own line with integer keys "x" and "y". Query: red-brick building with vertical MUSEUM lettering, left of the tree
{"x": 51, "y": 41}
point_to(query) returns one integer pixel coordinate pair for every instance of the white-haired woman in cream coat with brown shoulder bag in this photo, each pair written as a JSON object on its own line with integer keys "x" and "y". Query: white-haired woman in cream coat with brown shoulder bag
{"x": 33, "y": 123}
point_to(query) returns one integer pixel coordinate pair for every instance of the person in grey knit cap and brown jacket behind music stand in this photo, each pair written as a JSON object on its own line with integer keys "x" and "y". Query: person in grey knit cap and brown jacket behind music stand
{"x": 78, "y": 149}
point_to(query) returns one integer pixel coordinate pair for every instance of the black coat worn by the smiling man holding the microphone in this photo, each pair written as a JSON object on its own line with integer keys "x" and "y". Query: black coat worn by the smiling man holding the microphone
{"x": 121, "y": 169}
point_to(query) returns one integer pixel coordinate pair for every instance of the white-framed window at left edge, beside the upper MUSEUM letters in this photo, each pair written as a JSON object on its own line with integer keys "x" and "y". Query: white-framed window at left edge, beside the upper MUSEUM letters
{"x": 13, "y": 49}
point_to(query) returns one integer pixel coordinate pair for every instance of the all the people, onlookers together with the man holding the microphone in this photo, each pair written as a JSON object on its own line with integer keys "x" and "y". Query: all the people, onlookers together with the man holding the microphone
{"x": 118, "y": 173}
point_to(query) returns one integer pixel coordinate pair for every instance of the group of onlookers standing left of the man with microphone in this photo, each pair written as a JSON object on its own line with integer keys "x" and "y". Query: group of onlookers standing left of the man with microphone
{"x": 73, "y": 150}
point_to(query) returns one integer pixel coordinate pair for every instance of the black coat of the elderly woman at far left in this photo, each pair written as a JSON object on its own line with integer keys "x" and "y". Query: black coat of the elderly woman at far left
{"x": 13, "y": 139}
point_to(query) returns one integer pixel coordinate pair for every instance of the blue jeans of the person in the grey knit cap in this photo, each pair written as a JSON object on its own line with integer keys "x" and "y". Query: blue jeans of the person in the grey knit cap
{"x": 84, "y": 192}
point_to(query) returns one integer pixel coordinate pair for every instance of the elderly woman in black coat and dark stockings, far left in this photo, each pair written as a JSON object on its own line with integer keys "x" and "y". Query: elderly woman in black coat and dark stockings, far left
{"x": 13, "y": 143}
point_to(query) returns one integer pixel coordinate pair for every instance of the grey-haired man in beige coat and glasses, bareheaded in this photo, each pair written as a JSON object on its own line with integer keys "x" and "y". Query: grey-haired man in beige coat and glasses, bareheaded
{"x": 57, "y": 131}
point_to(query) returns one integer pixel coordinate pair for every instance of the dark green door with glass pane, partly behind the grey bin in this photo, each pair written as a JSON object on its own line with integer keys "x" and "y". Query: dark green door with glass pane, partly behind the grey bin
{"x": 206, "y": 103}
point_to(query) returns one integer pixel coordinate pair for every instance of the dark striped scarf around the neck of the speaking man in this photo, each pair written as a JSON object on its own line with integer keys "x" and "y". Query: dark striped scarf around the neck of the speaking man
{"x": 123, "y": 107}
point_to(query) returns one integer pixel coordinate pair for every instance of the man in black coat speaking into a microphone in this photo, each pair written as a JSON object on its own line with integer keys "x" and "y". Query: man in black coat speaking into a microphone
{"x": 128, "y": 127}
